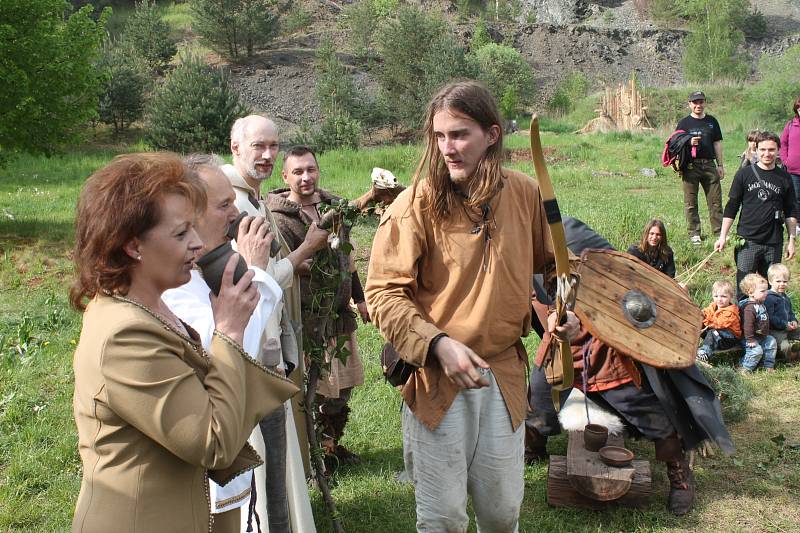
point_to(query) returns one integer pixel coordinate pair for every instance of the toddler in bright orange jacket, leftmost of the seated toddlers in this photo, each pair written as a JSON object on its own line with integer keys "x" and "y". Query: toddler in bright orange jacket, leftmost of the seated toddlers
{"x": 723, "y": 329}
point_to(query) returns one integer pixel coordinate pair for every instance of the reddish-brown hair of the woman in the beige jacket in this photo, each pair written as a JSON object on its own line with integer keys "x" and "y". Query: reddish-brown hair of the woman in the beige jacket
{"x": 121, "y": 201}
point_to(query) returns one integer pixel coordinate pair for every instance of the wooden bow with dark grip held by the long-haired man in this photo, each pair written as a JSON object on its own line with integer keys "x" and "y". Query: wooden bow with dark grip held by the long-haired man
{"x": 560, "y": 355}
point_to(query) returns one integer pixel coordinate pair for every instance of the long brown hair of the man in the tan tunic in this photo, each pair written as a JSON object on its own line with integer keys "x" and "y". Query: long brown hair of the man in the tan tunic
{"x": 472, "y": 99}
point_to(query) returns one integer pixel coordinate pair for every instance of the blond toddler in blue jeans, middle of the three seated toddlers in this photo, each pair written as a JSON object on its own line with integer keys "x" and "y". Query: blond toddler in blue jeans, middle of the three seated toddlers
{"x": 758, "y": 344}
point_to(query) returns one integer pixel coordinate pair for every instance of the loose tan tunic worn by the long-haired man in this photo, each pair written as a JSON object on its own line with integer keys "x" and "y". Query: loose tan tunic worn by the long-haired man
{"x": 425, "y": 279}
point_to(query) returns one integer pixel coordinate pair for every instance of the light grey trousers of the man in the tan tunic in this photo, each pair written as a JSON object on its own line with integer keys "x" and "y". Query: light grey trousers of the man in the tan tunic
{"x": 473, "y": 451}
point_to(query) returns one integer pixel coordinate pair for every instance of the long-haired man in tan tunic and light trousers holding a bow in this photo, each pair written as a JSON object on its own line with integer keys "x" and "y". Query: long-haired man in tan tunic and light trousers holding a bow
{"x": 449, "y": 285}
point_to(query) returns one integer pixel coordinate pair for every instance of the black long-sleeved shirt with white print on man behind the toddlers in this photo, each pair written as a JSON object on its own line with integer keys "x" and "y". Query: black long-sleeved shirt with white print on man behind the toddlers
{"x": 765, "y": 203}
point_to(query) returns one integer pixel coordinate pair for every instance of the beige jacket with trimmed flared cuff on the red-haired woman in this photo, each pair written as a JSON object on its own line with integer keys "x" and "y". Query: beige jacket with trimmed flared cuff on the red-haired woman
{"x": 155, "y": 413}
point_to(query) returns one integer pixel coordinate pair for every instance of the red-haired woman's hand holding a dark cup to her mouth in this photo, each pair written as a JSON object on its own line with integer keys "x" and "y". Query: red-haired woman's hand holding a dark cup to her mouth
{"x": 235, "y": 304}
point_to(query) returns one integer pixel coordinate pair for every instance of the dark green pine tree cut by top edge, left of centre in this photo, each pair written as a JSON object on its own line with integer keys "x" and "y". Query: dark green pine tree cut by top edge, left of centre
{"x": 235, "y": 27}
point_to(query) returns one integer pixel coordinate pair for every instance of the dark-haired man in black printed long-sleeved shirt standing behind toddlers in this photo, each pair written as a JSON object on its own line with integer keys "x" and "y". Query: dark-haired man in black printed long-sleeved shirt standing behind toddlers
{"x": 765, "y": 194}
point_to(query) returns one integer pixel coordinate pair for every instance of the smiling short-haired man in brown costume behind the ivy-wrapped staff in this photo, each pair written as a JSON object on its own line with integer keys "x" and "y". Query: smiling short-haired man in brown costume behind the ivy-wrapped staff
{"x": 294, "y": 208}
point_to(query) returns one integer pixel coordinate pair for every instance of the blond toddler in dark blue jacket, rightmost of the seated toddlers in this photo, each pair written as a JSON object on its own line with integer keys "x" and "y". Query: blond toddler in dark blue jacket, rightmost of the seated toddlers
{"x": 782, "y": 320}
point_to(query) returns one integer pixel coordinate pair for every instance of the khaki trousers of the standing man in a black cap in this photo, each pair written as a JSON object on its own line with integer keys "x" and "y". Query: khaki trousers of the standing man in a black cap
{"x": 703, "y": 173}
